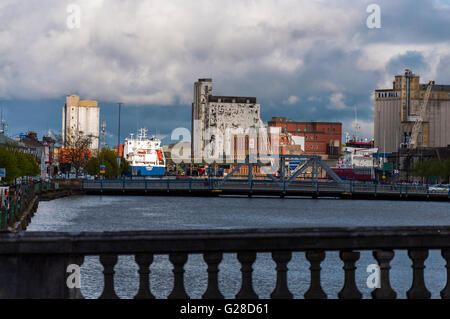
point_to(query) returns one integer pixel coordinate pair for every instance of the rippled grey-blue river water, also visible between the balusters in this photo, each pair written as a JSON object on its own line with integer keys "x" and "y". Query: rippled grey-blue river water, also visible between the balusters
{"x": 109, "y": 213}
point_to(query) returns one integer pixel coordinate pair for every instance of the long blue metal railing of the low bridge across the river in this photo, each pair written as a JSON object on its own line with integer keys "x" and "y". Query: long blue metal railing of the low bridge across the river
{"x": 215, "y": 186}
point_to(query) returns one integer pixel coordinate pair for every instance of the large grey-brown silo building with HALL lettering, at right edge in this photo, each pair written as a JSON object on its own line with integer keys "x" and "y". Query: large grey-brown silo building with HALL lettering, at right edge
{"x": 411, "y": 115}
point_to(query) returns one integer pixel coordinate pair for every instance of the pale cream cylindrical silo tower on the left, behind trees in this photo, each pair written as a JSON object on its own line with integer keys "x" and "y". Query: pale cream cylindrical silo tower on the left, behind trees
{"x": 80, "y": 117}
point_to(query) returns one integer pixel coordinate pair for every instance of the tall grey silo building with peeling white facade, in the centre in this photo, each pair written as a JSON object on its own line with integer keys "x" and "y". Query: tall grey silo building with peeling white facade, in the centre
{"x": 213, "y": 116}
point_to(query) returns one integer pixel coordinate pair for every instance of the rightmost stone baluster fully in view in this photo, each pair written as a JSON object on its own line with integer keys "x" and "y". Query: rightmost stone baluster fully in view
{"x": 418, "y": 289}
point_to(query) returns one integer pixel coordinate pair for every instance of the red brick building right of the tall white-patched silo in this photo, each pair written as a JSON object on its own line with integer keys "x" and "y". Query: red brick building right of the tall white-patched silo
{"x": 320, "y": 138}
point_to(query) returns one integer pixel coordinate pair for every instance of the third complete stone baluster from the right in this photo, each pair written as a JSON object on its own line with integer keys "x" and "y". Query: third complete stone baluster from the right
{"x": 350, "y": 290}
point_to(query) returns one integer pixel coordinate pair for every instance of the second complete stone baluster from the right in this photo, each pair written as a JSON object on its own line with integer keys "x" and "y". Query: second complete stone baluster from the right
{"x": 384, "y": 257}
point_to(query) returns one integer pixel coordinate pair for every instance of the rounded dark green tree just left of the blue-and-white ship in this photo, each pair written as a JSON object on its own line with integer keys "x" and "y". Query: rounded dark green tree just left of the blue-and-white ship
{"x": 108, "y": 158}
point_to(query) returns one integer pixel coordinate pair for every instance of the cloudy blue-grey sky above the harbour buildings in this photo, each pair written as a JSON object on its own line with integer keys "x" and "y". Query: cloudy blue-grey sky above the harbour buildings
{"x": 306, "y": 60}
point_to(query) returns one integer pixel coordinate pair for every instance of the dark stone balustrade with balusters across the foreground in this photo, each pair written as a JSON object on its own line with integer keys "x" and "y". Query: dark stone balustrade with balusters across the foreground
{"x": 35, "y": 264}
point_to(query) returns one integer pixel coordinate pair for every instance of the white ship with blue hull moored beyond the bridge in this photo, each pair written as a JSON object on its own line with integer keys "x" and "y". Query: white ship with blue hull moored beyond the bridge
{"x": 145, "y": 155}
